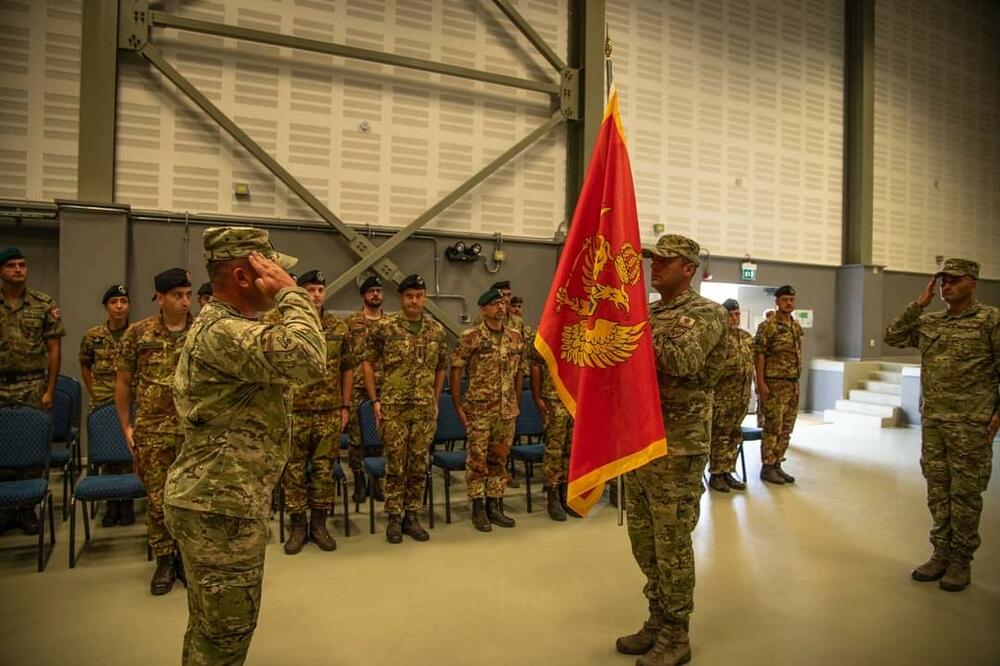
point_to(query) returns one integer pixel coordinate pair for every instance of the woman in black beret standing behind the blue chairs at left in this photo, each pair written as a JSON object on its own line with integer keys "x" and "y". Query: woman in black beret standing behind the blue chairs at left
{"x": 99, "y": 351}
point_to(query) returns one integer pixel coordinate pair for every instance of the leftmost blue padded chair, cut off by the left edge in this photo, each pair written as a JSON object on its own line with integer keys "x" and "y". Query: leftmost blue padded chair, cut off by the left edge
{"x": 25, "y": 442}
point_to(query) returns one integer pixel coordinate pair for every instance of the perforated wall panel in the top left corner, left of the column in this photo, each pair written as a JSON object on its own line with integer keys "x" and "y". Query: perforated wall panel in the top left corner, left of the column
{"x": 39, "y": 98}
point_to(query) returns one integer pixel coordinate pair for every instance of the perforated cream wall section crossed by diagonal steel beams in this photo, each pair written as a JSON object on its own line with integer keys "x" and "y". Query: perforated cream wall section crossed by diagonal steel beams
{"x": 378, "y": 145}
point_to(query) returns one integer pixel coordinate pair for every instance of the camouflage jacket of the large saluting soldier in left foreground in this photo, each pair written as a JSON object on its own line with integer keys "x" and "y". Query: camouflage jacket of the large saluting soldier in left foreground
{"x": 232, "y": 391}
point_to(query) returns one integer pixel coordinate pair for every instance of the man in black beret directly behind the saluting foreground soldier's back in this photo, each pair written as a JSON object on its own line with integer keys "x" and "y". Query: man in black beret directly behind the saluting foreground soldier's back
{"x": 146, "y": 363}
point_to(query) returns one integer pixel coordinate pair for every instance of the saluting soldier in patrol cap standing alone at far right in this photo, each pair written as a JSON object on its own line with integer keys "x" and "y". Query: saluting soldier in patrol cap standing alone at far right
{"x": 959, "y": 377}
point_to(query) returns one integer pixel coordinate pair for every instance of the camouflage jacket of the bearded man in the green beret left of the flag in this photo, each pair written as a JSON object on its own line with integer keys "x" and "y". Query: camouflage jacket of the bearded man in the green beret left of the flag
{"x": 492, "y": 362}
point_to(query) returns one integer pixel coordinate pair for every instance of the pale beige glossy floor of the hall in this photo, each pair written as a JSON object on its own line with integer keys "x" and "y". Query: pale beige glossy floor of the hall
{"x": 816, "y": 573}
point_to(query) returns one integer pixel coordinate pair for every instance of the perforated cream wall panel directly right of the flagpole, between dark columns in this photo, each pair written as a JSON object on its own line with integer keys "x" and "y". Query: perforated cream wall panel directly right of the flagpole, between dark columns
{"x": 734, "y": 116}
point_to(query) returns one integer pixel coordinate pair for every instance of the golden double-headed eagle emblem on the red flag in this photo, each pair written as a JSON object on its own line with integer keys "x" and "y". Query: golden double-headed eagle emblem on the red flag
{"x": 594, "y": 342}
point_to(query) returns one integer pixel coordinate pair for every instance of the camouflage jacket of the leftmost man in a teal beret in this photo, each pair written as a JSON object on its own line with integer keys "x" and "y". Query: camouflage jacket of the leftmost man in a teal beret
{"x": 24, "y": 330}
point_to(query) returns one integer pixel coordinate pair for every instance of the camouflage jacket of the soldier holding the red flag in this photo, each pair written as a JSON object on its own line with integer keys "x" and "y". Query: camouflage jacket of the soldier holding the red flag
{"x": 690, "y": 349}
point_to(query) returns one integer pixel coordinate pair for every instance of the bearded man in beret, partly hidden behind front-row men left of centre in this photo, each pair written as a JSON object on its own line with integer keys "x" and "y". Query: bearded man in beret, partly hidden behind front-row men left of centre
{"x": 359, "y": 324}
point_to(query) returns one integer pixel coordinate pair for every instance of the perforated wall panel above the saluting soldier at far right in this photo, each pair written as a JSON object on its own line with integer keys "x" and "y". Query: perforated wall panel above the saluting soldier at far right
{"x": 937, "y": 133}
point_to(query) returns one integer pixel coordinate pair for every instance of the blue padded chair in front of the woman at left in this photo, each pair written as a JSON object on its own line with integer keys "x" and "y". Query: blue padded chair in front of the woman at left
{"x": 105, "y": 446}
